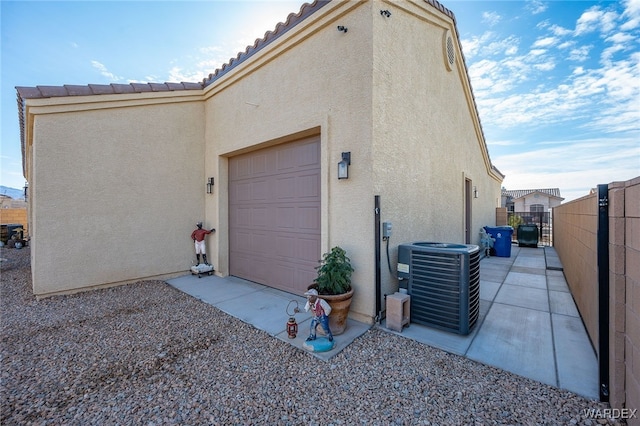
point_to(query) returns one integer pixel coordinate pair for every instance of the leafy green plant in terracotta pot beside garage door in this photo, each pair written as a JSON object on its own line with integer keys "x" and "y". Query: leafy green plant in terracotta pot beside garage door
{"x": 334, "y": 285}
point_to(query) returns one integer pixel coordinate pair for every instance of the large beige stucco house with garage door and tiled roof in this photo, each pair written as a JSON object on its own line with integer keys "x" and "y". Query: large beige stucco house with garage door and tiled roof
{"x": 118, "y": 173}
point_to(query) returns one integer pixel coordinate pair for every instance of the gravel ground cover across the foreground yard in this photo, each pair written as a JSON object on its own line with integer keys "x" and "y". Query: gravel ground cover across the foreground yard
{"x": 146, "y": 353}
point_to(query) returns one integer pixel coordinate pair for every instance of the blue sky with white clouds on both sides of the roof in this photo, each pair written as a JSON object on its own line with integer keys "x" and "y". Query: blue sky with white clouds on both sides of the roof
{"x": 557, "y": 83}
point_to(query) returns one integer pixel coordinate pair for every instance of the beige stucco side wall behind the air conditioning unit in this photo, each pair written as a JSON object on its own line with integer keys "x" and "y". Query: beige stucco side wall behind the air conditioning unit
{"x": 425, "y": 139}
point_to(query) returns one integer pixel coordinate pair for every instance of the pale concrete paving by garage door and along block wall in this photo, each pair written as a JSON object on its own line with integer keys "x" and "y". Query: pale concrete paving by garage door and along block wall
{"x": 528, "y": 324}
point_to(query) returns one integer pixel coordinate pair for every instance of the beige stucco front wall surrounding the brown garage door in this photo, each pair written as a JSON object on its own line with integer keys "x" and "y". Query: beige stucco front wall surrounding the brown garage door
{"x": 318, "y": 84}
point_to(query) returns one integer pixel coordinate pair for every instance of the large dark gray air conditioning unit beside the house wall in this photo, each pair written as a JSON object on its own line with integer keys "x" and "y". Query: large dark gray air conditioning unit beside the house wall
{"x": 443, "y": 280}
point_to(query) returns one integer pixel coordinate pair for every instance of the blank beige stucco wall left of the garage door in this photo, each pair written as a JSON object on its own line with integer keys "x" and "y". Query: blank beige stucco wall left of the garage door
{"x": 115, "y": 192}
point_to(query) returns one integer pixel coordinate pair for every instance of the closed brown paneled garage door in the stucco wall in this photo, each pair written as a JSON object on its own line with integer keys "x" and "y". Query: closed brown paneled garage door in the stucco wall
{"x": 274, "y": 215}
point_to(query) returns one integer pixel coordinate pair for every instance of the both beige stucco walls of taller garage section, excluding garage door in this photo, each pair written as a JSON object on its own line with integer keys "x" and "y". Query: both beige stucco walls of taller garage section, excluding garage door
{"x": 412, "y": 132}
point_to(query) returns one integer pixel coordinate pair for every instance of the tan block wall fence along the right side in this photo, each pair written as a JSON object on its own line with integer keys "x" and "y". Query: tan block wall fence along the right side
{"x": 575, "y": 229}
